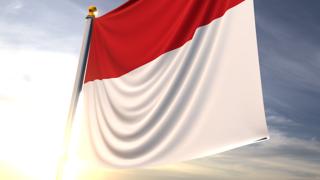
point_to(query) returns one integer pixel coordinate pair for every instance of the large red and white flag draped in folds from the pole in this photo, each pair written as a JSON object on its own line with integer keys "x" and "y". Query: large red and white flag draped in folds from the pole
{"x": 169, "y": 81}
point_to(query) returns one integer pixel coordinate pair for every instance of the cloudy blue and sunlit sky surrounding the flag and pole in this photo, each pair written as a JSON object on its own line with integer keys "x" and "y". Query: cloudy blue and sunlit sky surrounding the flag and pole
{"x": 39, "y": 47}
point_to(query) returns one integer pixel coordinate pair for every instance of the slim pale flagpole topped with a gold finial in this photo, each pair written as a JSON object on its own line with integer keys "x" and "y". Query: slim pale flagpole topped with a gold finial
{"x": 76, "y": 89}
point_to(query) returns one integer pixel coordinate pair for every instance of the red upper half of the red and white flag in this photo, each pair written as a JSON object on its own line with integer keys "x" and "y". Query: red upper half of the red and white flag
{"x": 141, "y": 30}
